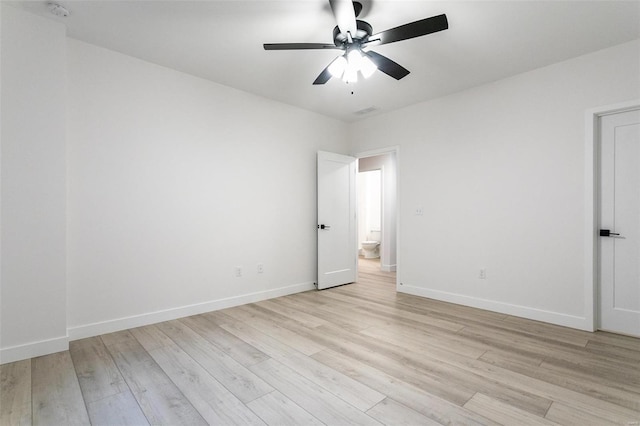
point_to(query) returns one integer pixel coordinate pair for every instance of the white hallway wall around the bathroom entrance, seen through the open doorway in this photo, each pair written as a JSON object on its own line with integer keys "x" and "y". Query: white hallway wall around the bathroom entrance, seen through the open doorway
{"x": 387, "y": 163}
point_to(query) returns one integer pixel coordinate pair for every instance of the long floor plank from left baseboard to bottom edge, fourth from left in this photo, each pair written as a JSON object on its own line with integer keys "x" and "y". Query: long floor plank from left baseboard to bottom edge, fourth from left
{"x": 158, "y": 397}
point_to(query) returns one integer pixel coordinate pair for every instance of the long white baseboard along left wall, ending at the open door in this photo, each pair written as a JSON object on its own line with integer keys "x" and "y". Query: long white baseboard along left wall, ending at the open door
{"x": 98, "y": 328}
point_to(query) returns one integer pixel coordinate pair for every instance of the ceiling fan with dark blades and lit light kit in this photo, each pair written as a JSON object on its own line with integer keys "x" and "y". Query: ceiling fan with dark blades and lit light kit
{"x": 355, "y": 37}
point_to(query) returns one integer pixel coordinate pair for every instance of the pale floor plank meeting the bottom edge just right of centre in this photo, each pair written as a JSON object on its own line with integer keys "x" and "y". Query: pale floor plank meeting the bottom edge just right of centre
{"x": 321, "y": 403}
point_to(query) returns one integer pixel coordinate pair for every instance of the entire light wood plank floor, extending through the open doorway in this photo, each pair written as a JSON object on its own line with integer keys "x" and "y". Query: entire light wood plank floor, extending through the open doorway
{"x": 357, "y": 354}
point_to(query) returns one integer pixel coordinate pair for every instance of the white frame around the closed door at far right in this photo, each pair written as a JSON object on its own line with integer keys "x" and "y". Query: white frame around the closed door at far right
{"x": 592, "y": 208}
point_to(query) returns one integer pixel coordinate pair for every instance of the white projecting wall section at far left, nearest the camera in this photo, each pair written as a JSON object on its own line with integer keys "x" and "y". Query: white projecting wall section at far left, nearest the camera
{"x": 33, "y": 304}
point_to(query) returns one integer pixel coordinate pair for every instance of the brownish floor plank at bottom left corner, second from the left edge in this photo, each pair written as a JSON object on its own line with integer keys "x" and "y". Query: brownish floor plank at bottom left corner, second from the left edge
{"x": 56, "y": 395}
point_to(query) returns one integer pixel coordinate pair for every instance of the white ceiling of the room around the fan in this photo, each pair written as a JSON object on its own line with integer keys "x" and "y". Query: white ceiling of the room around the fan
{"x": 222, "y": 41}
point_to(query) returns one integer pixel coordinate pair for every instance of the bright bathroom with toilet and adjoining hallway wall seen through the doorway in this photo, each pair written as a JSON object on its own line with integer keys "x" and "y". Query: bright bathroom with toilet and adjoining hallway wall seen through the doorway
{"x": 377, "y": 210}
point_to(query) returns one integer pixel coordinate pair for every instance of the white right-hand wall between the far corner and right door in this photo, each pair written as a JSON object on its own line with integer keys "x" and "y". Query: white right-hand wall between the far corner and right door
{"x": 500, "y": 173}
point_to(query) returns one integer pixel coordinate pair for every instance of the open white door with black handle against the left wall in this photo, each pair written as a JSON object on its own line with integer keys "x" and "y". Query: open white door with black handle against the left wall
{"x": 337, "y": 244}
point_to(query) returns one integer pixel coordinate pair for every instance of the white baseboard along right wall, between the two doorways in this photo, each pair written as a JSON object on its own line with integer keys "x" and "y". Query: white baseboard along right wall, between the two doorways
{"x": 551, "y": 317}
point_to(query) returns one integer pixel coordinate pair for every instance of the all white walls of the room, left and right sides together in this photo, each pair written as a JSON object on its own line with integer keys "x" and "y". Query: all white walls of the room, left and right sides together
{"x": 171, "y": 182}
